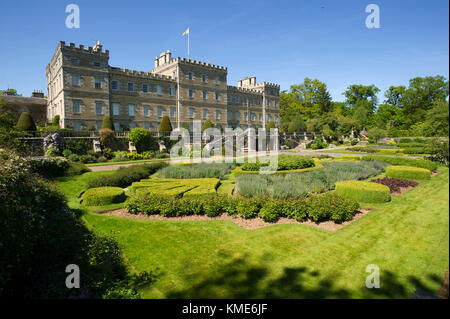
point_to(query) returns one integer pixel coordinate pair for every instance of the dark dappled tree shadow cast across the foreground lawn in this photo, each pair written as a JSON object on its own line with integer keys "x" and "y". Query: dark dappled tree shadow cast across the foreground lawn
{"x": 240, "y": 278}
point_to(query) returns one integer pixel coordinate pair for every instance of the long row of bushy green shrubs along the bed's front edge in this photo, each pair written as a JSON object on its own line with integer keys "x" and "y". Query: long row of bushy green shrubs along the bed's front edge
{"x": 321, "y": 207}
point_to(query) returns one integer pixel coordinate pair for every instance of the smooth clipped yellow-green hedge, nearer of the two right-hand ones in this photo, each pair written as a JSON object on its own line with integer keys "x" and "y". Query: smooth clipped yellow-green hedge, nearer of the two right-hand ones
{"x": 364, "y": 191}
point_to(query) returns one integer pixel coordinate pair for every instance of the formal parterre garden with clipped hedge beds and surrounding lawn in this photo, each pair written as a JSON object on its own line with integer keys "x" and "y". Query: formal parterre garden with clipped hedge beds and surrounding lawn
{"x": 393, "y": 212}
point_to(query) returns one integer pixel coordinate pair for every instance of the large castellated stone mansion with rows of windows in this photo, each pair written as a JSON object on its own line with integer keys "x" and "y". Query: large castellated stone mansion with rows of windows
{"x": 83, "y": 88}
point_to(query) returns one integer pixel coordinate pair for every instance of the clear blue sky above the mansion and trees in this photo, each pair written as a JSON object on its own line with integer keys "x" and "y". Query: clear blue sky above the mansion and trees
{"x": 276, "y": 41}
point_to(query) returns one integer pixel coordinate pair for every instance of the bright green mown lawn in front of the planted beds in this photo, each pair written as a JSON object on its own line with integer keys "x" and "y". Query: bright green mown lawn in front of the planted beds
{"x": 407, "y": 238}
